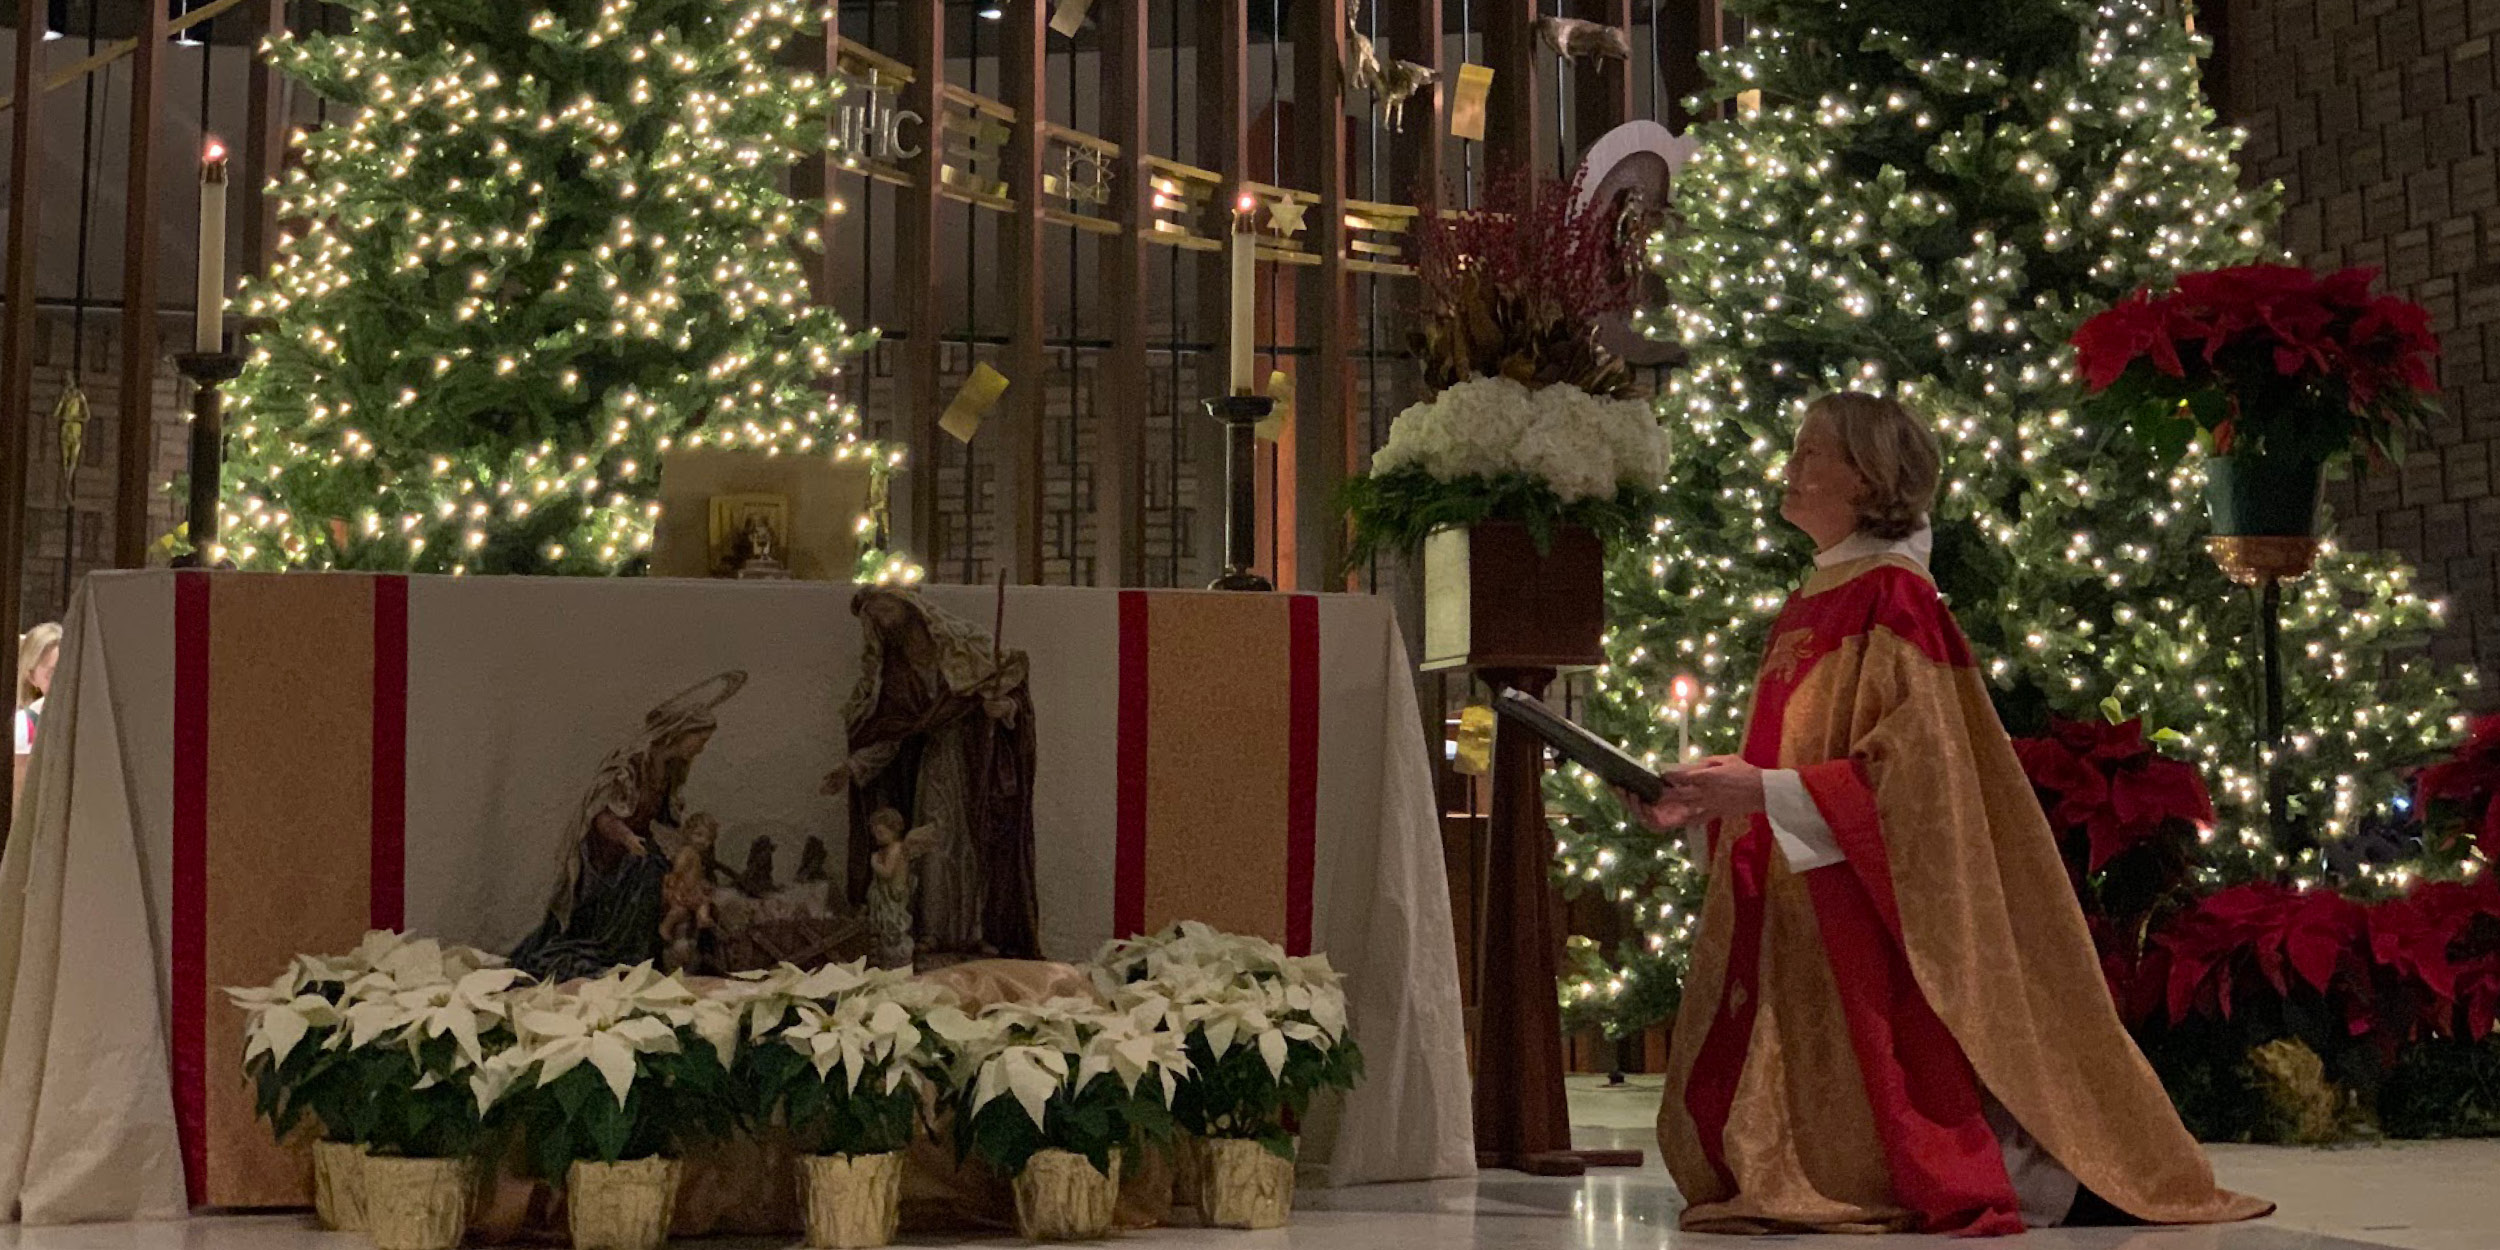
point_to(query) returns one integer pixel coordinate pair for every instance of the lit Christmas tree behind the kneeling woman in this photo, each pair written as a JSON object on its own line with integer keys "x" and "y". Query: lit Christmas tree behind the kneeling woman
{"x": 1929, "y": 201}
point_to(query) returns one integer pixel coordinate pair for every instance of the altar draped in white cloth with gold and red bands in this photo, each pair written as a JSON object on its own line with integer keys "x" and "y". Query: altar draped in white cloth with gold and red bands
{"x": 239, "y": 769}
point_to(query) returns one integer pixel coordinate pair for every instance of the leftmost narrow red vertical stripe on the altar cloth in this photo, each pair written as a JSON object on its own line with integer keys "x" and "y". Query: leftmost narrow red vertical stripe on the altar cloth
{"x": 189, "y": 981}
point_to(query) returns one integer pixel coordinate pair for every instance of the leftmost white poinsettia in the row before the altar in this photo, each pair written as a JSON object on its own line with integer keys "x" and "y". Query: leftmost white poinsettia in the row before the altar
{"x": 389, "y": 1046}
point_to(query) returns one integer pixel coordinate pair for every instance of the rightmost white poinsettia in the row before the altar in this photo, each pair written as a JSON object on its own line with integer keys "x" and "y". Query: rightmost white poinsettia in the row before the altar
{"x": 1264, "y": 1031}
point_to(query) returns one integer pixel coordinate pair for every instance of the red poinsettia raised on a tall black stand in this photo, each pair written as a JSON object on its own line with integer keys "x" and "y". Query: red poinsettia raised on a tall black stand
{"x": 2266, "y": 359}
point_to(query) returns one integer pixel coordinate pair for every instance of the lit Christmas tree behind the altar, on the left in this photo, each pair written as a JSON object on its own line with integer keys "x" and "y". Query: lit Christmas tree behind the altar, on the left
{"x": 549, "y": 246}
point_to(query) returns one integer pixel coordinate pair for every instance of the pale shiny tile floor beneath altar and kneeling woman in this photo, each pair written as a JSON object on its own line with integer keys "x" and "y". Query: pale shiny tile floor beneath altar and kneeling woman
{"x": 2411, "y": 1196}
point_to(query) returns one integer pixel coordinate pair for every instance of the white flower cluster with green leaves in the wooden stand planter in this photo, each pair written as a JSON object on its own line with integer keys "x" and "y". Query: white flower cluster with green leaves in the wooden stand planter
{"x": 1494, "y": 449}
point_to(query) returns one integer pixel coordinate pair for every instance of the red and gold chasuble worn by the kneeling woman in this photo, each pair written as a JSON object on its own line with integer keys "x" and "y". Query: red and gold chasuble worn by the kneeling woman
{"x": 1839, "y": 1026}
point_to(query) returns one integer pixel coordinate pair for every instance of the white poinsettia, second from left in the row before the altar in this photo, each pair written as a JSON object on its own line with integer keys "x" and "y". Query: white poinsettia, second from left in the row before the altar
{"x": 624, "y": 1066}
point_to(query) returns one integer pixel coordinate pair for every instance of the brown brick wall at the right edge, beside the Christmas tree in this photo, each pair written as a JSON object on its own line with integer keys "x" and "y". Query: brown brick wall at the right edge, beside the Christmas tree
{"x": 2381, "y": 119}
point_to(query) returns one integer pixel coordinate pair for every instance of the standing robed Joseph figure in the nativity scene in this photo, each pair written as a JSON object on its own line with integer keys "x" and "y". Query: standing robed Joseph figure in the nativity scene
{"x": 941, "y": 734}
